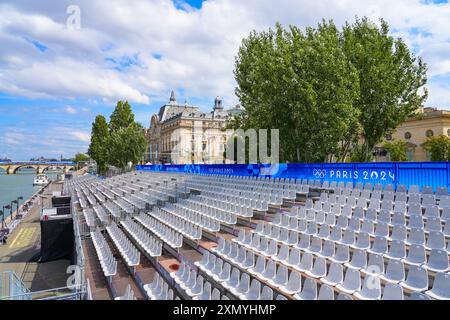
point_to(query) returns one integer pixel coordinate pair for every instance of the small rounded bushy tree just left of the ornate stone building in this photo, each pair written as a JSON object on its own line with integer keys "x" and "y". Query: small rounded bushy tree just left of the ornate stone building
{"x": 127, "y": 145}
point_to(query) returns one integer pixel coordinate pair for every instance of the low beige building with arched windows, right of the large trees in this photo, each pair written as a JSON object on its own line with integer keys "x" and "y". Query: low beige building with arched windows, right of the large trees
{"x": 415, "y": 131}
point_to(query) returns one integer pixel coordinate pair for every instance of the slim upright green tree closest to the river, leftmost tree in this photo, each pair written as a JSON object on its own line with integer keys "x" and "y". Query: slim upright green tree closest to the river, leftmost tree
{"x": 98, "y": 149}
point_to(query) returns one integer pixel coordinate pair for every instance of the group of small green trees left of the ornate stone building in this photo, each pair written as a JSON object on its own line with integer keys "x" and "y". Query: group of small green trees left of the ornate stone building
{"x": 119, "y": 142}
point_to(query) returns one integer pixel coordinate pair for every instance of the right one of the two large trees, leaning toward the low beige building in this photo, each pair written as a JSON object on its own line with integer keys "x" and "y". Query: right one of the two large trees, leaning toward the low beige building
{"x": 391, "y": 80}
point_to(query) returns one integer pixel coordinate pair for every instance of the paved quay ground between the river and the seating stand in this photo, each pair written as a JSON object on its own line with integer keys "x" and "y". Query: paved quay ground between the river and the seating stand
{"x": 22, "y": 249}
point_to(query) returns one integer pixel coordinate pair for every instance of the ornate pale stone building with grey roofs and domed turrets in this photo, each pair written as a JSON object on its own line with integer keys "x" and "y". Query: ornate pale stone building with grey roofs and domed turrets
{"x": 182, "y": 134}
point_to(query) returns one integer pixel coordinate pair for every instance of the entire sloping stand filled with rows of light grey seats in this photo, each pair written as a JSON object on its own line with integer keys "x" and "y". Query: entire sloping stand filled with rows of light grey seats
{"x": 212, "y": 237}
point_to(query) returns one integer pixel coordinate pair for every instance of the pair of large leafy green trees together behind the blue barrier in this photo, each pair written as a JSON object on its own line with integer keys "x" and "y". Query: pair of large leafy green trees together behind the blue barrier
{"x": 333, "y": 93}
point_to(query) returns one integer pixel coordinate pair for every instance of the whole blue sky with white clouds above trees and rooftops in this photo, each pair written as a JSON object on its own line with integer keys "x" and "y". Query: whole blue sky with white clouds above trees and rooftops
{"x": 54, "y": 79}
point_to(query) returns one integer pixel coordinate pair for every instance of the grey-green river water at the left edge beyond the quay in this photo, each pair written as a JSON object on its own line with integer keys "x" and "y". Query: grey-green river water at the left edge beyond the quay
{"x": 16, "y": 185}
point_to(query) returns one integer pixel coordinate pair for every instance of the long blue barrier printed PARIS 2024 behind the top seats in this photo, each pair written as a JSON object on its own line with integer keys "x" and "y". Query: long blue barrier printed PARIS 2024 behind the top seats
{"x": 435, "y": 174}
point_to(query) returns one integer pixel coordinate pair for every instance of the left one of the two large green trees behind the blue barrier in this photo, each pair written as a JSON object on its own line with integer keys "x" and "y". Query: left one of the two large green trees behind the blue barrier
{"x": 303, "y": 85}
